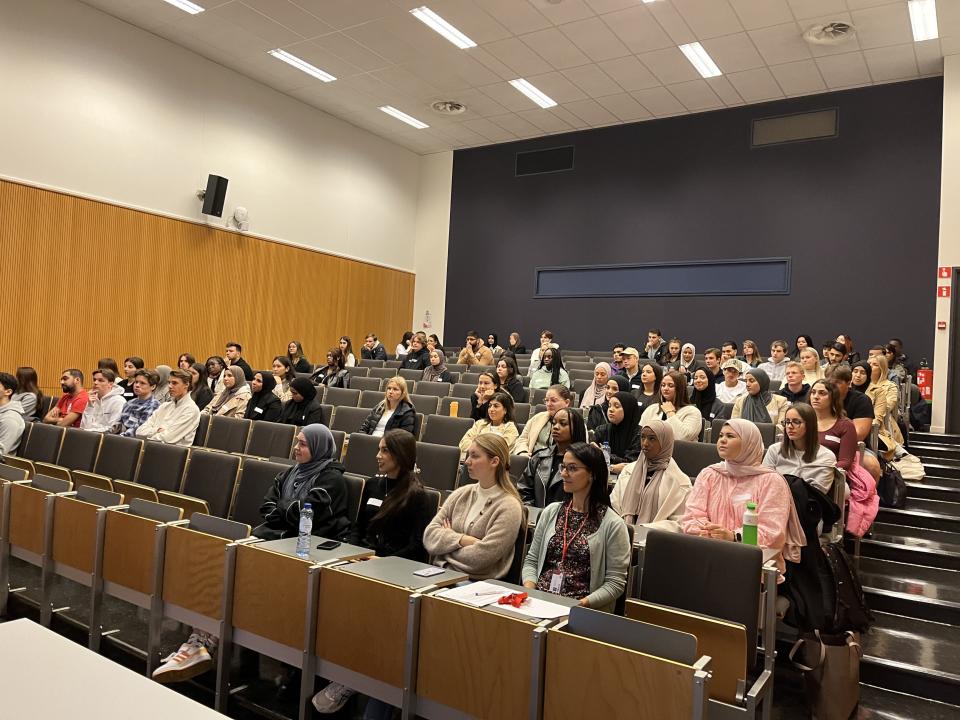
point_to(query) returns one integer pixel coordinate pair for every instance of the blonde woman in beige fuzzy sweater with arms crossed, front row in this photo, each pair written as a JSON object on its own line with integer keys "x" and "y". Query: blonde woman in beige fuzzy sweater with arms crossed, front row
{"x": 476, "y": 529}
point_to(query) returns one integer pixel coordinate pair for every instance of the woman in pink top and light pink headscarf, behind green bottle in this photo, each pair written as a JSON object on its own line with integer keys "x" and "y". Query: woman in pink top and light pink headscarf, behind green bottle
{"x": 721, "y": 492}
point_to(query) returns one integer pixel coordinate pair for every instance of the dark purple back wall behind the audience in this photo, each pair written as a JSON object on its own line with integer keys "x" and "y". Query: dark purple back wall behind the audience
{"x": 858, "y": 215}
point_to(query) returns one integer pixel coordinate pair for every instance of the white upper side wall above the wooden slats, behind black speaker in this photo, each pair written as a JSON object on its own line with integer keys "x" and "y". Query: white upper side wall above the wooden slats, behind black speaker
{"x": 97, "y": 107}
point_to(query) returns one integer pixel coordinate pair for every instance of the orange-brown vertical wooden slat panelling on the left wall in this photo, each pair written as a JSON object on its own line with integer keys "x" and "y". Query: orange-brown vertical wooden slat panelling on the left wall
{"x": 86, "y": 279}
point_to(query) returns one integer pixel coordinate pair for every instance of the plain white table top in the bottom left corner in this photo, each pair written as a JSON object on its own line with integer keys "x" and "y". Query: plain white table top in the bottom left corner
{"x": 44, "y": 675}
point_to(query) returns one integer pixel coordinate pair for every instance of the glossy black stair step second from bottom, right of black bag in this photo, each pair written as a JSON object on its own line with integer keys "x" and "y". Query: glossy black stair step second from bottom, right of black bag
{"x": 911, "y": 590}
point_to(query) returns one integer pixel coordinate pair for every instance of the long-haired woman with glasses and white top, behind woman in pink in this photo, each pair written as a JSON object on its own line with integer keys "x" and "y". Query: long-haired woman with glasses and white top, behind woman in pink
{"x": 800, "y": 452}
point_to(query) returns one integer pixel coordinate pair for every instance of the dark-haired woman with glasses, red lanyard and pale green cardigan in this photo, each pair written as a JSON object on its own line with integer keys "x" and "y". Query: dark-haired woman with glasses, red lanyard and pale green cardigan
{"x": 580, "y": 548}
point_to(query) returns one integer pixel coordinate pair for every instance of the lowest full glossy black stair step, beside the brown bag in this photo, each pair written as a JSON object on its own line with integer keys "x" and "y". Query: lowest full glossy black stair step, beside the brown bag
{"x": 912, "y": 656}
